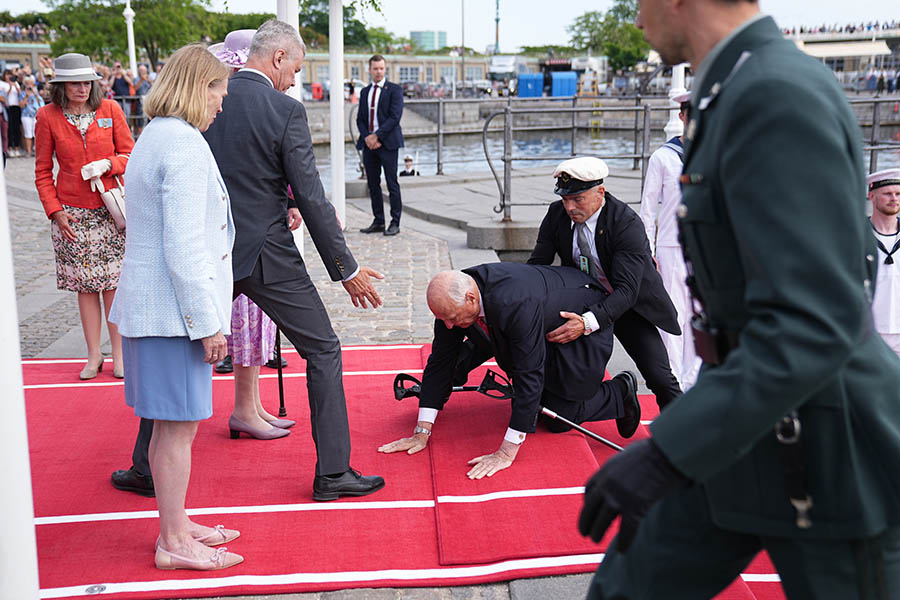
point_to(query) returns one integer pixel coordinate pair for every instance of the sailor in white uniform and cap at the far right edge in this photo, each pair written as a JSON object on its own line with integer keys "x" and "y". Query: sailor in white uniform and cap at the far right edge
{"x": 884, "y": 193}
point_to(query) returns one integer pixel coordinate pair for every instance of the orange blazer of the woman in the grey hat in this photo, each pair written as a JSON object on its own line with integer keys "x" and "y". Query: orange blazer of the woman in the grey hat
{"x": 107, "y": 137}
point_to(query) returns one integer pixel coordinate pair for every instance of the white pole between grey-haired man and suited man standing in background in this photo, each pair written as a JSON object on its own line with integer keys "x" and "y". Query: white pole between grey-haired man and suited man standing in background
{"x": 336, "y": 68}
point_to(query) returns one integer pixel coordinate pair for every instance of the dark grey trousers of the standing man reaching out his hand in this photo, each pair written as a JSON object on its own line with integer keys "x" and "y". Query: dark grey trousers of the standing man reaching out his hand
{"x": 296, "y": 308}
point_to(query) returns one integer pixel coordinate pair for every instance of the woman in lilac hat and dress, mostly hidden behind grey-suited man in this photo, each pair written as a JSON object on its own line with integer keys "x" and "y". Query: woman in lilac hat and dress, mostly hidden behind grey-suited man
{"x": 252, "y": 338}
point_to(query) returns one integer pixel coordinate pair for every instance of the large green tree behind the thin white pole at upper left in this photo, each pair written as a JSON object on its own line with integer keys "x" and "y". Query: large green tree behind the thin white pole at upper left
{"x": 97, "y": 28}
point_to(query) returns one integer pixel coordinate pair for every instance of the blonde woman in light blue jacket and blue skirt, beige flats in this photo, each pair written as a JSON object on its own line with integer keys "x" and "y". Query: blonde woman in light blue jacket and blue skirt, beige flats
{"x": 173, "y": 307}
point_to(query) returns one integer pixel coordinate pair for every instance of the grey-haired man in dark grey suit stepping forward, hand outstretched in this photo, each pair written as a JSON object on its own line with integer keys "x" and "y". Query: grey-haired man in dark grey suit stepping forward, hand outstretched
{"x": 262, "y": 145}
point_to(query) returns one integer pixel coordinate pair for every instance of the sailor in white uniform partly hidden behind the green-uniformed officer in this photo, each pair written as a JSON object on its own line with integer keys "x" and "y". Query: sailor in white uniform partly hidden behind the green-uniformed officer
{"x": 662, "y": 195}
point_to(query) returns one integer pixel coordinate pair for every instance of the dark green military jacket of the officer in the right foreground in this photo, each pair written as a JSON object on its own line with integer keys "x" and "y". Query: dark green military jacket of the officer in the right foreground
{"x": 775, "y": 228}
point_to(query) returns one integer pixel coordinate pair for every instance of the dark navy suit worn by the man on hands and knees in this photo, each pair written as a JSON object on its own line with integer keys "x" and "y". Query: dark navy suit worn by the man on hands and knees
{"x": 521, "y": 305}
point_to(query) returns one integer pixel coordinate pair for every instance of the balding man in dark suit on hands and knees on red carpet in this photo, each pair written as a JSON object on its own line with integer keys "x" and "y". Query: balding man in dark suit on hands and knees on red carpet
{"x": 505, "y": 310}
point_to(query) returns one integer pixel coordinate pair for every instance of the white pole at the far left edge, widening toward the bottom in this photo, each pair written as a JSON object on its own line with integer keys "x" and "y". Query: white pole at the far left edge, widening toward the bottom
{"x": 18, "y": 548}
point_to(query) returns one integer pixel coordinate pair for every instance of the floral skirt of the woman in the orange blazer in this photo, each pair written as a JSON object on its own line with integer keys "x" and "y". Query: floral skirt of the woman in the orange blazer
{"x": 92, "y": 263}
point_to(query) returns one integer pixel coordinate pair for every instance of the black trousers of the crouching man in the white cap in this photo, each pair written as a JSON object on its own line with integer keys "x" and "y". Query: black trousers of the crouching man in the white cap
{"x": 644, "y": 345}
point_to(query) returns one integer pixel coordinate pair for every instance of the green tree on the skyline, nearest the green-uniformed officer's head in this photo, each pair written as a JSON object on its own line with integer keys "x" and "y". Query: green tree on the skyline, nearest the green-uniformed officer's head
{"x": 612, "y": 33}
